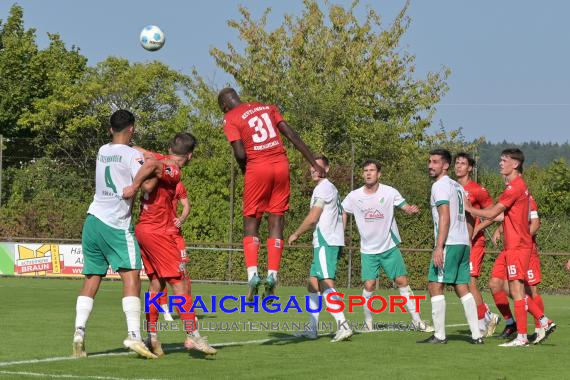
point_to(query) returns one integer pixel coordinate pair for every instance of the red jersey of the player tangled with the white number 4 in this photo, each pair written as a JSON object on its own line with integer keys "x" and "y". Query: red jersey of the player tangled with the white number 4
{"x": 156, "y": 206}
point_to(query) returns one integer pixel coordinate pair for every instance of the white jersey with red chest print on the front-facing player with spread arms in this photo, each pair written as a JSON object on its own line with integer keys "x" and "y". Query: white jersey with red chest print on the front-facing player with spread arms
{"x": 375, "y": 217}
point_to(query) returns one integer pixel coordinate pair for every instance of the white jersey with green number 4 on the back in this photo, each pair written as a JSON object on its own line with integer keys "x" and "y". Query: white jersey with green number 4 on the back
{"x": 116, "y": 168}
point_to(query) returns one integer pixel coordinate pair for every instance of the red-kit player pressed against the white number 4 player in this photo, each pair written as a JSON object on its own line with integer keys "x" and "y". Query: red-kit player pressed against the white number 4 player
{"x": 161, "y": 257}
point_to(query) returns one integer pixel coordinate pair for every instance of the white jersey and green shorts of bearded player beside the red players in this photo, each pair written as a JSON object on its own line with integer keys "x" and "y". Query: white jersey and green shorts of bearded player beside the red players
{"x": 455, "y": 268}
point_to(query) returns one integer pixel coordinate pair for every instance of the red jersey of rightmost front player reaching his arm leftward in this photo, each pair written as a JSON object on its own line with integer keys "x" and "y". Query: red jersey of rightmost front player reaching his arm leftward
{"x": 516, "y": 200}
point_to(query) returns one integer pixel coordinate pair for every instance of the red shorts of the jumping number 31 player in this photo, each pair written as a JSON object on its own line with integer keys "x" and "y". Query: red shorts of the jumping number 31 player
{"x": 266, "y": 189}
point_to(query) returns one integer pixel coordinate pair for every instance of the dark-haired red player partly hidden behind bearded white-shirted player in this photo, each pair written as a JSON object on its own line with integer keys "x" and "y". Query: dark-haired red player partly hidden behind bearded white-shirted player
{"x": 479, "y": 198}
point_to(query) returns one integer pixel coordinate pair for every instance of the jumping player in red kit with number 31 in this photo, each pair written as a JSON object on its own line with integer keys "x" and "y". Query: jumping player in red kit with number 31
{"x": 254, "y": 131}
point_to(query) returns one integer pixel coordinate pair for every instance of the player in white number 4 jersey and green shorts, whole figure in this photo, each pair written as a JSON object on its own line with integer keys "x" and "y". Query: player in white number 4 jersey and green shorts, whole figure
{"x": 108, "y": 237}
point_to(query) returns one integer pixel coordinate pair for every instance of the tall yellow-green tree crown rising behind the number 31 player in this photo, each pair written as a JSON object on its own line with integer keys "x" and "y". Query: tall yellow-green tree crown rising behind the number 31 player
{"x": 339, "y": 80}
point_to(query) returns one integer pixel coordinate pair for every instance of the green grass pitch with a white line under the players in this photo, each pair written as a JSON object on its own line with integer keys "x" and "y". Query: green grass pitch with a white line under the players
{"x": 37, "y": 317}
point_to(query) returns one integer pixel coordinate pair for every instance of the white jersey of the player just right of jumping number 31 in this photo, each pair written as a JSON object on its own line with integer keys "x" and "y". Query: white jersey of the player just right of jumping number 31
{"x": 329, "y": 228}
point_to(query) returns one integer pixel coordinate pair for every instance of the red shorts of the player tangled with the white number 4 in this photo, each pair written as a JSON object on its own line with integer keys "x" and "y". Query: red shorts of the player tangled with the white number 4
{"x": 161, "y": 257}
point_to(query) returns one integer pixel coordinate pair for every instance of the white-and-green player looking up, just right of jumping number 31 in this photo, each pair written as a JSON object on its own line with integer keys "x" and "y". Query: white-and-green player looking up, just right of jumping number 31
{"x": 325, "y": 216}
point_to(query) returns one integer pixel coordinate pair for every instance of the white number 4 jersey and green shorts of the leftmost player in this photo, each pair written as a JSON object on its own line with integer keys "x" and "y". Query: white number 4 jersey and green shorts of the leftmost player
{"x": 108, "y": 236}
